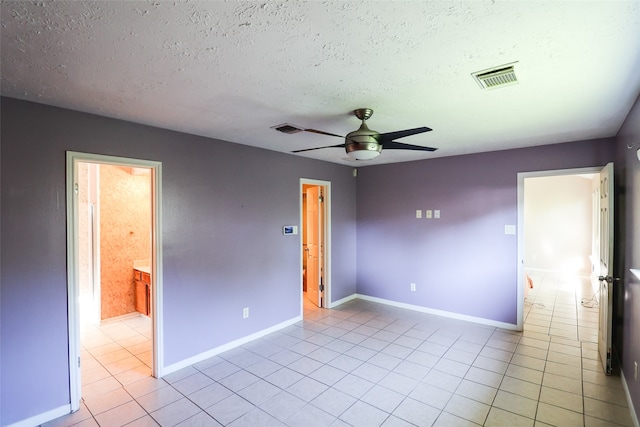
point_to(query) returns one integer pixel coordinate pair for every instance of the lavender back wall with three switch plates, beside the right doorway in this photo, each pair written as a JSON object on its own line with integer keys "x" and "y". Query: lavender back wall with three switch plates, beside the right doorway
{"x": 463, "y": 262}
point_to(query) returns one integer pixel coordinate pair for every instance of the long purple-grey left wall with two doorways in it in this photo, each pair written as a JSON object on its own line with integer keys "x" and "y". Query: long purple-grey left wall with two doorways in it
{"x": 224, "y": 206}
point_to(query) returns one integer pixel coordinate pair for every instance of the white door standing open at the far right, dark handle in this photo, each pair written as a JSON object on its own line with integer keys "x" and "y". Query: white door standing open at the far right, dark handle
{"x": 606, "y": 267}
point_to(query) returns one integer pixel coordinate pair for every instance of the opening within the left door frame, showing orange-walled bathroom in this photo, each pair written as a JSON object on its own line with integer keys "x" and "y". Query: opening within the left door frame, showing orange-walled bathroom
{"x": 114, "y": 255}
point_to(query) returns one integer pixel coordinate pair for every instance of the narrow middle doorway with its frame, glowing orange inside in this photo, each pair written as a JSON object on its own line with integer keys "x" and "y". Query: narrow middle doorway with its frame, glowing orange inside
{"x": 315, "y": 226}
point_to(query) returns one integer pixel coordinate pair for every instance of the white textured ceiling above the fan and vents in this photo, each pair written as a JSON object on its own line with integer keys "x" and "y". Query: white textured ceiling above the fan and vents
{"x": 231, "y": 70}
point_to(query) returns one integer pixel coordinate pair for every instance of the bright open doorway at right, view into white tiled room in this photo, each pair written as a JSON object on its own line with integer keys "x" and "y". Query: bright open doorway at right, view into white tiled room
{"x": 558, "y": 256}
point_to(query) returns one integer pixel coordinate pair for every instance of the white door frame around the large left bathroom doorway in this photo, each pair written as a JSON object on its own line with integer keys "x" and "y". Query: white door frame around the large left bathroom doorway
{"x": 73, "y": 288}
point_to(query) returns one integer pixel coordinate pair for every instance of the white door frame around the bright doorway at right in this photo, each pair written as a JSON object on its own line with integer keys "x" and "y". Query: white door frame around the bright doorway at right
{"x": 521, "y": 236}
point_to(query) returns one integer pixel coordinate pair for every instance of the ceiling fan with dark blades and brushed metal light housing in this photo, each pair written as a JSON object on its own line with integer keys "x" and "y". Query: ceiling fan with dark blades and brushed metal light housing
{"x": 366, "y": 144}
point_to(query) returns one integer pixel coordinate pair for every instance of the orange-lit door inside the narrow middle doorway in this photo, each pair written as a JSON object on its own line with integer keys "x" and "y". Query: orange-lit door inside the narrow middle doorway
{"x": 313, "y": 245}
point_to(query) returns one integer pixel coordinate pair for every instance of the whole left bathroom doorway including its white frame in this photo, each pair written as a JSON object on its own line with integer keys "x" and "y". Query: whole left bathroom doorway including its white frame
{"x": 113, "y": 255}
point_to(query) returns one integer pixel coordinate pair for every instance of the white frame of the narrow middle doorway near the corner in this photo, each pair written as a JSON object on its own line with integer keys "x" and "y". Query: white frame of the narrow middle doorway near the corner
{"x": 327, "y": 240}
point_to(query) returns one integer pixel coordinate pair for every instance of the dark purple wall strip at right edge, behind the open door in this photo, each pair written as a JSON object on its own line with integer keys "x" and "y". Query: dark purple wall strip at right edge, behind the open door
{"x": 629, "y": 234}
